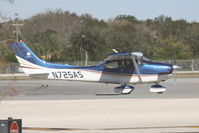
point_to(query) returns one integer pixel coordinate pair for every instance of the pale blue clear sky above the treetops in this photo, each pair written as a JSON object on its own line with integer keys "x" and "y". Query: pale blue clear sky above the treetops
{"x": 107, "y": 9}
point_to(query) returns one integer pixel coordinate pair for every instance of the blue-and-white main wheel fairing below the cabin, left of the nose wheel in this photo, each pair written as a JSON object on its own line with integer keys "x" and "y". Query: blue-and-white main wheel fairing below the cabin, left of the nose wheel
{"x": 124, "y": 89}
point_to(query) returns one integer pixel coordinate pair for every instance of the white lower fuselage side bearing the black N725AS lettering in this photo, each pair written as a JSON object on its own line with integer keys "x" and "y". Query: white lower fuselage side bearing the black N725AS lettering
{"x": 89, "y": 75}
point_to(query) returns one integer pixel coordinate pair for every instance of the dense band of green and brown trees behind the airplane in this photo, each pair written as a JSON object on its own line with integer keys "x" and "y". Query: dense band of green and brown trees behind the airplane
{"x": 57, "y": 35}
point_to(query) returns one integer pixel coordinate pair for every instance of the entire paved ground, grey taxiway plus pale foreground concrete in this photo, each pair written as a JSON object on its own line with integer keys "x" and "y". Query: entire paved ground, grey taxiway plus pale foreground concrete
{"x": 49, "y": 106}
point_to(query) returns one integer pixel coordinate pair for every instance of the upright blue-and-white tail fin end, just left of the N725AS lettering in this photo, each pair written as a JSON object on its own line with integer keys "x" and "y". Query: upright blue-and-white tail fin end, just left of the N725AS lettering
{"x": 29, "y": 62}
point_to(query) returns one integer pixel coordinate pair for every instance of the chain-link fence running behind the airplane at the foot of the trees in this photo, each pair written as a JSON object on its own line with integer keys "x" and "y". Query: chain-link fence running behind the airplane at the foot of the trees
{"x": 187, "y": 65}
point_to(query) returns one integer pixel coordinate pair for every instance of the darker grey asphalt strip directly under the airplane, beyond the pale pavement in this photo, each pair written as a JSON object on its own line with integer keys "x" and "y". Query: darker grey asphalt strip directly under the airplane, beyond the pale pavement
{"x": 60, "y": 90}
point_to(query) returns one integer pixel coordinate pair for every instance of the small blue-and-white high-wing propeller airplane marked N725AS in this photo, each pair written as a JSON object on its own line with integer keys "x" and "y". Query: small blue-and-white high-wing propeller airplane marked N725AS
{"x": 126, "y": 69}
